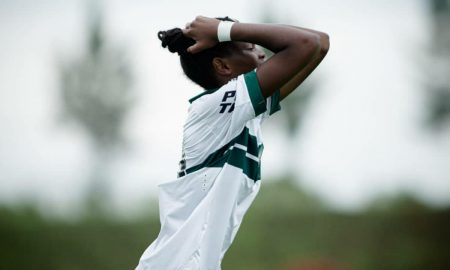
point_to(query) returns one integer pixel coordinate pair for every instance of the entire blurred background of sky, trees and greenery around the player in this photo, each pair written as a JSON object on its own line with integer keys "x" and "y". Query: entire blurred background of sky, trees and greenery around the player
{"x": 356, "y": 165}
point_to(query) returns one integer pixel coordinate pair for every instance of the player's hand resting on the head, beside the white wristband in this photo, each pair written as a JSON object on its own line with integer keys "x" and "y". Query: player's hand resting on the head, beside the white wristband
{"x": 204, "y": 31}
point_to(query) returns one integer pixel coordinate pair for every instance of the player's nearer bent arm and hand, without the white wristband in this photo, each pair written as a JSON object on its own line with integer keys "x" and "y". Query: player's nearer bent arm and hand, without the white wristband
{"x": 293, "y": 48}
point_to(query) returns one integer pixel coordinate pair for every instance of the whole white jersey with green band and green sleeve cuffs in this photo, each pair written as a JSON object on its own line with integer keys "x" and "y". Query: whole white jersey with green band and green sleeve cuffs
{"x": 202, "y": 210}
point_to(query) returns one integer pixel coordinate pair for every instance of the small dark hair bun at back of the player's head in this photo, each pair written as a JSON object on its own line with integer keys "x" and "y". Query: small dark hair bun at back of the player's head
{"x": 175, "y": 41}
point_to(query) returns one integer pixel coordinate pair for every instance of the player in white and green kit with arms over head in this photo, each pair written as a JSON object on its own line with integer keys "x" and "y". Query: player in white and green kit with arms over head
{"x": 219, "y": 175}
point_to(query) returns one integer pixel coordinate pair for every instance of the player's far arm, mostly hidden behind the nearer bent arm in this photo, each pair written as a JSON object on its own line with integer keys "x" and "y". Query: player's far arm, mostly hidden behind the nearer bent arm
{"x": 292, "y": 84}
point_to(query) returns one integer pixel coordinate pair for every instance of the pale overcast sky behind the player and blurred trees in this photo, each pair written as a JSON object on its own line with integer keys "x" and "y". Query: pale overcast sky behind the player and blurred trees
{"x": 362, "y": 135}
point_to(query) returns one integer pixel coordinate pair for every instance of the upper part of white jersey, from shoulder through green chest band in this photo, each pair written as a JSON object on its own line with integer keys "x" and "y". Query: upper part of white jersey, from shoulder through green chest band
{"x": 223, "y": 126}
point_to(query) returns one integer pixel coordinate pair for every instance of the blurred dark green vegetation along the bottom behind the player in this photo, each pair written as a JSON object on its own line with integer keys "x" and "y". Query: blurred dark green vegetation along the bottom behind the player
{"x": 286, "y": 229}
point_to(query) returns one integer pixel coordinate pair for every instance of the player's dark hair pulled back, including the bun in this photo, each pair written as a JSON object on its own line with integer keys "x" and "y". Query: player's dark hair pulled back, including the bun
{"x": 197, "y": 67}
